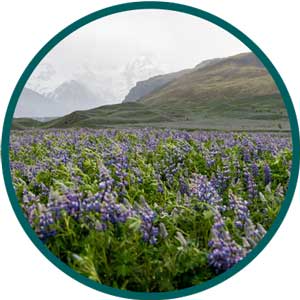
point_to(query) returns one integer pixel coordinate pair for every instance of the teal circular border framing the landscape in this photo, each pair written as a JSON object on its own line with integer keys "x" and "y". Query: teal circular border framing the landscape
{"x": 137, "y": 6}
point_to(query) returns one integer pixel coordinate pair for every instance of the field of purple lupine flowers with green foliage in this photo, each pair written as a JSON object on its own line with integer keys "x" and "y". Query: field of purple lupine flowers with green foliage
{"x": 149, "y": 209}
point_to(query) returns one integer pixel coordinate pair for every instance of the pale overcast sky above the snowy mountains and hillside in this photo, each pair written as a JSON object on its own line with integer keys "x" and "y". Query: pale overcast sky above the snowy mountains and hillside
{"x": 177, "y": 40}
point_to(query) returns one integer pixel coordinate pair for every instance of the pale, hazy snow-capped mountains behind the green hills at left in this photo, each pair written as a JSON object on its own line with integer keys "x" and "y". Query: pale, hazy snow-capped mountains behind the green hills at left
{"x": 66, "y": 88}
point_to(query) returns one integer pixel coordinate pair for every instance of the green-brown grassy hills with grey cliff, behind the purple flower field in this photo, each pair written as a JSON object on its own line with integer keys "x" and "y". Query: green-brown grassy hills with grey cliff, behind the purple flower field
{"x": 232, "y": 93}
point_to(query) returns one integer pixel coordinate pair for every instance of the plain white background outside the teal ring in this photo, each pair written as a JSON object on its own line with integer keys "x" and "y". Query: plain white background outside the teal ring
{"x": 25, "y": 26}
